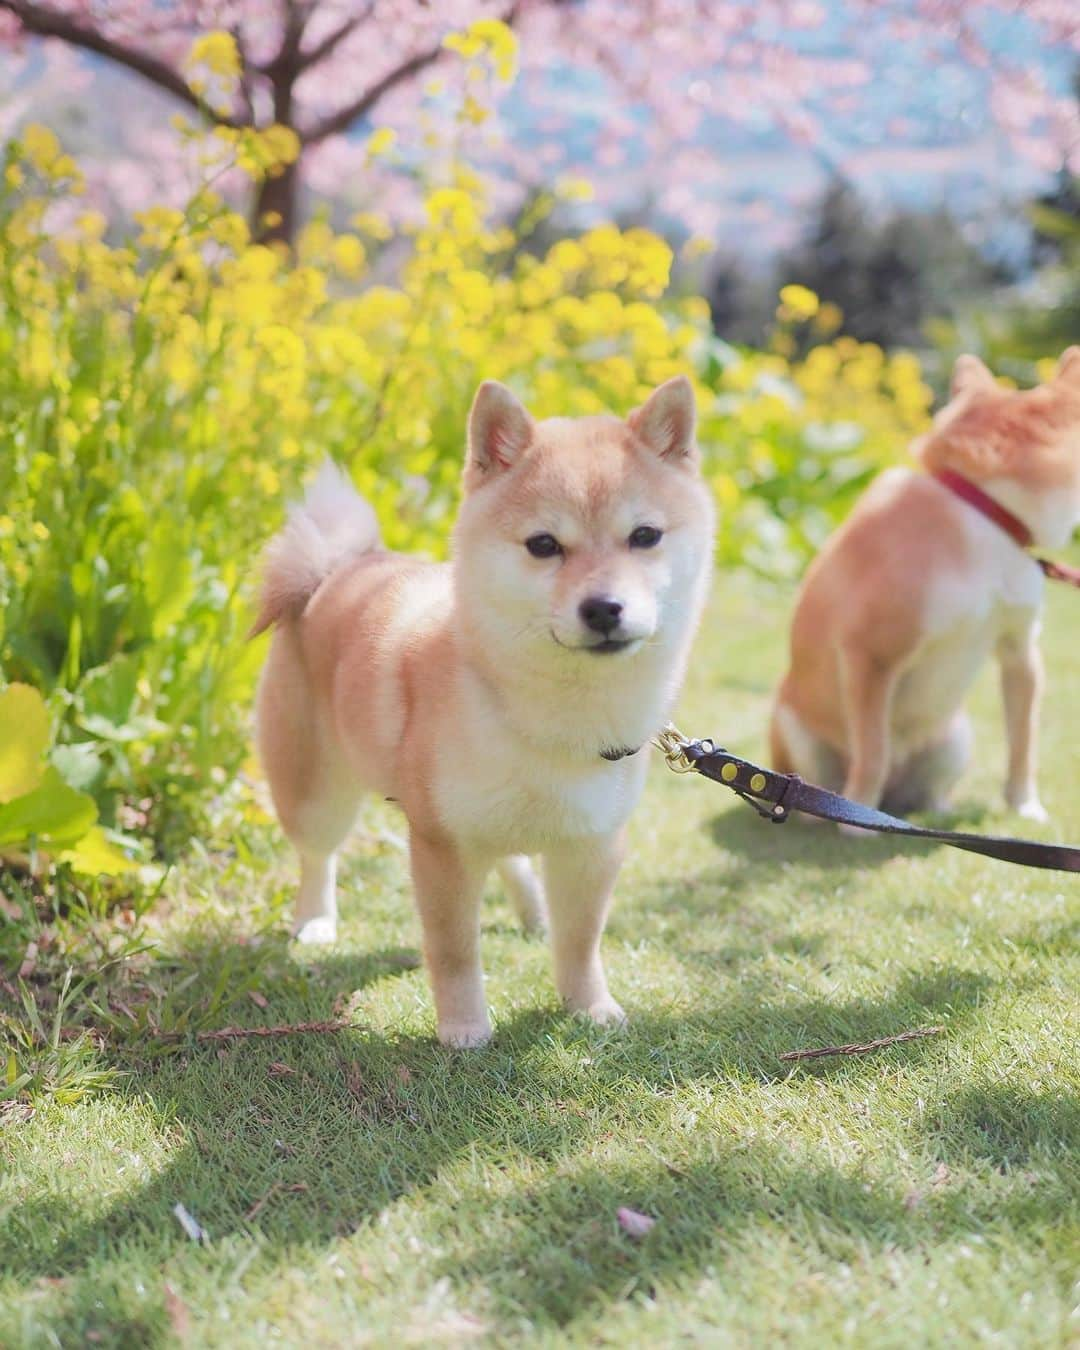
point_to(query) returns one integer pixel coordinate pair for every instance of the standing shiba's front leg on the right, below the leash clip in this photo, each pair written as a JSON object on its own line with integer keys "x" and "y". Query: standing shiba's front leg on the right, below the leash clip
{"x": 580, "y": 878}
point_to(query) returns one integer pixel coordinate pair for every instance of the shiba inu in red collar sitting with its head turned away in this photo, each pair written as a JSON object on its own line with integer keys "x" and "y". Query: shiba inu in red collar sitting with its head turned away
{"x": 921, "y": 584}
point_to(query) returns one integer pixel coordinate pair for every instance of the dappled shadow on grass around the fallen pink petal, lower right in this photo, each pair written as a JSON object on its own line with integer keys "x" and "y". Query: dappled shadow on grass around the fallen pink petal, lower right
{"x": 553, "y": 1252}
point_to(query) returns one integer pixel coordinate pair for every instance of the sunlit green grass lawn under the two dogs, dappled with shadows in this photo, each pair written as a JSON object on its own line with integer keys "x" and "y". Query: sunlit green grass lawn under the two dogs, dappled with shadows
{"x": 368, "y": 1187}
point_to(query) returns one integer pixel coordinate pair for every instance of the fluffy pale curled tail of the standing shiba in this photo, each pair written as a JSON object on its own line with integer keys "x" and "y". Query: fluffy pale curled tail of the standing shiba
{"x": 331, "y": 524}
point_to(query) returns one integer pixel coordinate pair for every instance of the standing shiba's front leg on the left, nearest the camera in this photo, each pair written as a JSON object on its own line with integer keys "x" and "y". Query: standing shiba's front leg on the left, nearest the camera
{"x": 448, "y": 894}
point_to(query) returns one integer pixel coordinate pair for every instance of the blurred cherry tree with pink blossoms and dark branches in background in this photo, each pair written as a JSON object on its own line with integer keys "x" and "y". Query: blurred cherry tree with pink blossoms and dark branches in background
{"x": 669, "y": 74}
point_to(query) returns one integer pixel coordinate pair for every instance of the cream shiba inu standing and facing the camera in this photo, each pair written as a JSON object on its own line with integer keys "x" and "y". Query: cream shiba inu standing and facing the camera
{"x": 503, "y": 699}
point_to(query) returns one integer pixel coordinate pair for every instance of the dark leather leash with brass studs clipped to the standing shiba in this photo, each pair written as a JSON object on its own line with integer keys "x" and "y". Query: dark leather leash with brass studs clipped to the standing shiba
{"x": 777, "y": 796}
